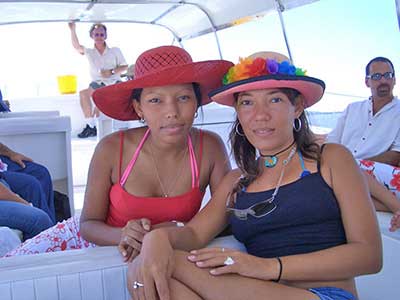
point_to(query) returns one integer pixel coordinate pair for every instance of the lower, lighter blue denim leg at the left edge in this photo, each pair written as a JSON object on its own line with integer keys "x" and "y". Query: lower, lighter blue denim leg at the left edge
{"x": 30, "y": 220}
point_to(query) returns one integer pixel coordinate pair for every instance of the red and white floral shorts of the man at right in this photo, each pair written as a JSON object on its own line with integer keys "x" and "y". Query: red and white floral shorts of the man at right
{"x": 386, "y": 174}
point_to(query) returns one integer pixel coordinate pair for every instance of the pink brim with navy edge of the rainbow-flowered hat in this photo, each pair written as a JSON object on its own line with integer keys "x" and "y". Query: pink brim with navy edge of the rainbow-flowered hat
{"x": 311, "y": 88}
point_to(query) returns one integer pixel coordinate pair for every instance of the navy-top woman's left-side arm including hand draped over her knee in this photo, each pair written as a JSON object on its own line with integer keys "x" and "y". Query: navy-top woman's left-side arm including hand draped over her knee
{"x": 155, "y": 263}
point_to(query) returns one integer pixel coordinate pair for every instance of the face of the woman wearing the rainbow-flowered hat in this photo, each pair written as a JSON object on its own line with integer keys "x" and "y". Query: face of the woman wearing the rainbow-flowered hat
{"x": 267, "y": 118}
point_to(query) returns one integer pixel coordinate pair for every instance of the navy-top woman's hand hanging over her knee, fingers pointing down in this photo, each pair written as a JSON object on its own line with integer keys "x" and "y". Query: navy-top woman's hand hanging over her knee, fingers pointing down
{"x": 149, "y": 273}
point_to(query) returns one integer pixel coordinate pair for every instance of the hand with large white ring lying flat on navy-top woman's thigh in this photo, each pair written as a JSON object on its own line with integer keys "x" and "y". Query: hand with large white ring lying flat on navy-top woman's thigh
{"x": 228, "y": 261}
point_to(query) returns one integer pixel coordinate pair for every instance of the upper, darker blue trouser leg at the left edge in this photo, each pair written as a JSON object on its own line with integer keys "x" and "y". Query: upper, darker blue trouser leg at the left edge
{"x": 33, "y": 183}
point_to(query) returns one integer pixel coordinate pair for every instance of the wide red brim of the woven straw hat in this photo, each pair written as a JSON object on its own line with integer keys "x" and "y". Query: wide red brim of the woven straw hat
{"x": 115, "y": 100}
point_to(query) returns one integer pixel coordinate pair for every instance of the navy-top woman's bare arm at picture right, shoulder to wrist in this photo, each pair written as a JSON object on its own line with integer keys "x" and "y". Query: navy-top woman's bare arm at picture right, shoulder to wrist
{"x": 362, "y": 254}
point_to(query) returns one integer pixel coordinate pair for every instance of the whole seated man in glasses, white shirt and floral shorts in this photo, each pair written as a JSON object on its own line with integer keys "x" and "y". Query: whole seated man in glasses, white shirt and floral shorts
{"x": 370, "y": 129}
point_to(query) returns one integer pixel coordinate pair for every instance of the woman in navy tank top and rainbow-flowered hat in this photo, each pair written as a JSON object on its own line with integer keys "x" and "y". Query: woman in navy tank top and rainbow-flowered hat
{"x": 302, "y": 211}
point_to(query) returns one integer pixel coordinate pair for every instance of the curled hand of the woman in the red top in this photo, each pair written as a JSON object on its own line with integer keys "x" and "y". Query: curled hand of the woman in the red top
{"x": 132, "y": 237}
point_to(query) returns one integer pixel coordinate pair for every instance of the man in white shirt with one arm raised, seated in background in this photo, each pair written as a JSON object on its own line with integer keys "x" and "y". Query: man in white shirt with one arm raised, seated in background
{"x": 106, "y": 65}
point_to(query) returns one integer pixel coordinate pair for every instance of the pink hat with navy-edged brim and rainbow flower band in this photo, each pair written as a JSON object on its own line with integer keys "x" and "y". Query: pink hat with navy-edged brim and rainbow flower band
{"x": 266, "y": 70}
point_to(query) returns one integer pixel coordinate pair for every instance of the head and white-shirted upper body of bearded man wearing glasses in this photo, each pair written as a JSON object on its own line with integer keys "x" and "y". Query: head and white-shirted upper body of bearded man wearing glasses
{"x": 370, "y": 129}
